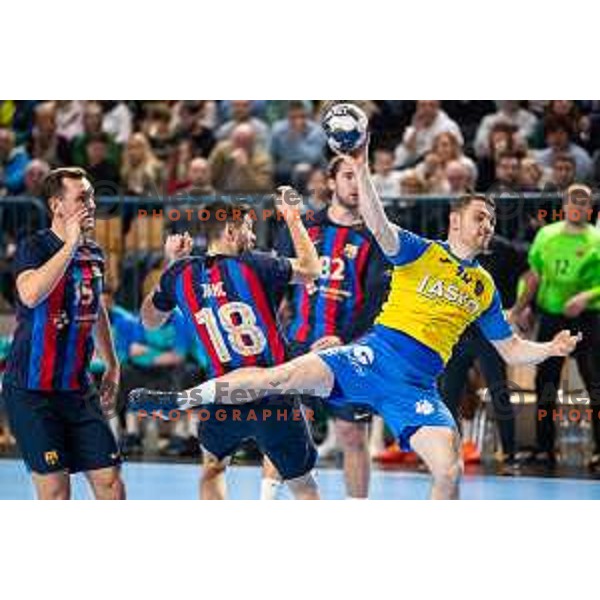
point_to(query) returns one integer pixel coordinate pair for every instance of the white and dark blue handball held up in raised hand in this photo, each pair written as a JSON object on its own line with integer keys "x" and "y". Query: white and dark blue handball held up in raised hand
{"x": 346, "y": 127}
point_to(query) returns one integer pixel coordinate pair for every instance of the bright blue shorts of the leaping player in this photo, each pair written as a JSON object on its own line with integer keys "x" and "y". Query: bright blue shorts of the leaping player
{"x": 393, "y": 374}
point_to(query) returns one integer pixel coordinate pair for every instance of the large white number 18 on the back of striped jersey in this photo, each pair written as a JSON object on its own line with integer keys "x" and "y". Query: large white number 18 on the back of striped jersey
{"x": 238, "y": 322}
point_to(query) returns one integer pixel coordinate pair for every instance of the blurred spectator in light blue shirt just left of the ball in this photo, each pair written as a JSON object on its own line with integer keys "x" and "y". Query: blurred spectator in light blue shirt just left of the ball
{"x": 297, "y": 143}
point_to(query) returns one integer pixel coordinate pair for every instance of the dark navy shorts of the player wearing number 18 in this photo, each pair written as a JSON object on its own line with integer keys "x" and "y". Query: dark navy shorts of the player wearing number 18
{"x": 278, "y": 426}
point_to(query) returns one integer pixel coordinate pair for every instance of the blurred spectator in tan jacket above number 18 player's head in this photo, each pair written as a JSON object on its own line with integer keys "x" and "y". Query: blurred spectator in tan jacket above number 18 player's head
{"x": 240, "y": 165}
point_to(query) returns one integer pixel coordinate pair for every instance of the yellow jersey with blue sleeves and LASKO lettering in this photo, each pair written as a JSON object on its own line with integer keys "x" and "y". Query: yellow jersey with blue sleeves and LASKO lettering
{"x": 435, "y": 296}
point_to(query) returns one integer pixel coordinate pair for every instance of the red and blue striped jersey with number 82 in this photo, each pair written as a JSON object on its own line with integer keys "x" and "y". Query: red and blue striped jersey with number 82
{"x": 354, "y": 282}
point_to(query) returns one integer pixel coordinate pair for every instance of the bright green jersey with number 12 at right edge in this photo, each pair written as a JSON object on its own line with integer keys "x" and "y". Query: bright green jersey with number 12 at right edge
{"x": 567, "y": 263}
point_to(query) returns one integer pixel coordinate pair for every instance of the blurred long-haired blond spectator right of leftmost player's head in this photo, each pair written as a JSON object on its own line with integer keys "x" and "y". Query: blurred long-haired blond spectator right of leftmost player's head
{"x": 141, "y": 171}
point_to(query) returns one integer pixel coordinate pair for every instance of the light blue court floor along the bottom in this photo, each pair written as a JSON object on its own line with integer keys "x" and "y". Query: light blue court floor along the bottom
{"x": 160, "y": 481}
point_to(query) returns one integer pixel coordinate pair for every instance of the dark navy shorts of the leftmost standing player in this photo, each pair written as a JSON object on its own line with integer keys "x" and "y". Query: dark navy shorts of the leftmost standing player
{"x": 58, "y": 431}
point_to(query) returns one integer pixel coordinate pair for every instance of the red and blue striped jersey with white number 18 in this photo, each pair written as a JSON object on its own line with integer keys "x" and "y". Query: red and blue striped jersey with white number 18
{"x": 231, "y": 304}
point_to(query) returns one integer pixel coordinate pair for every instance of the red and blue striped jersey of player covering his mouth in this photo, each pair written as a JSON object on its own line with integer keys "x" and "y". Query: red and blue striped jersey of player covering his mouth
{"x": 53, "y": 342}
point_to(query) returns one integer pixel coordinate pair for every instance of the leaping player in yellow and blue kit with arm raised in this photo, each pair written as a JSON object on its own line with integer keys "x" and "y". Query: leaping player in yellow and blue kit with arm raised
{"x": 437, "y": 290}
